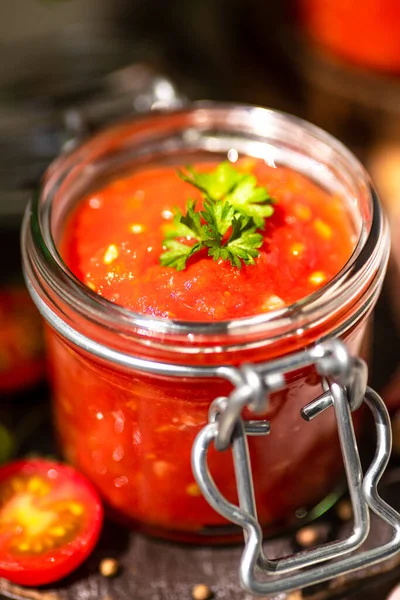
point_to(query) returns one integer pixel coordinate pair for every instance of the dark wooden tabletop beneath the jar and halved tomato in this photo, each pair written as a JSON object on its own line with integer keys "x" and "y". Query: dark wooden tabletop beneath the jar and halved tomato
{"x": 155, "y": 570}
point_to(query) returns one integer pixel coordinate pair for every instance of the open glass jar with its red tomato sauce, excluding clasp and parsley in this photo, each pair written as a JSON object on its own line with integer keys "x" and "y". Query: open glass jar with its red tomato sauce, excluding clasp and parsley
{"x": 131, "y": 431}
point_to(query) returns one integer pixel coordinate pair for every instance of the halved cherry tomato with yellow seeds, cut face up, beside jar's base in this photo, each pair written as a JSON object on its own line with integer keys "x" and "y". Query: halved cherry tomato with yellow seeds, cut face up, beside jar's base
{"x": 50, "y": 521}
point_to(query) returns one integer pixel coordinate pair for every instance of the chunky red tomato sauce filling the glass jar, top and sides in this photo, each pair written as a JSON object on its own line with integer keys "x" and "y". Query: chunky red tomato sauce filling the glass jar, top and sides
{"x": 132, "y": 433}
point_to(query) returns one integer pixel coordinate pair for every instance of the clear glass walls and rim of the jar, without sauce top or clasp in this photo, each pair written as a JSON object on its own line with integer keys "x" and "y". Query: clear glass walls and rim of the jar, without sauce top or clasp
{"x": 130, "y": 426}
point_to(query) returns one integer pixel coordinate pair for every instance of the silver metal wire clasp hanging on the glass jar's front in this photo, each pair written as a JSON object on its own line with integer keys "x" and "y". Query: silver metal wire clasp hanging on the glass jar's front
{"x": 344, "y": 381}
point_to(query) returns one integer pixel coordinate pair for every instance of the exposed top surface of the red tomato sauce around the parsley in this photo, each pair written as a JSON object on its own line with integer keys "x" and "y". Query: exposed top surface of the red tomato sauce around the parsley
{"x": 114, "y": 240}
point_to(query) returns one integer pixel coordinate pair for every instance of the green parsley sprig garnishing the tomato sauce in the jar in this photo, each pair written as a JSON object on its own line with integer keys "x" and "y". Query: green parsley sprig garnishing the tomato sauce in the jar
{"x": 234, "y": 207}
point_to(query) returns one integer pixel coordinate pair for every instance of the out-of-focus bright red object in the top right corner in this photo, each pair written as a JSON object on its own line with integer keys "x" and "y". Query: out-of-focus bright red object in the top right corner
{"x": 365, "y": 33}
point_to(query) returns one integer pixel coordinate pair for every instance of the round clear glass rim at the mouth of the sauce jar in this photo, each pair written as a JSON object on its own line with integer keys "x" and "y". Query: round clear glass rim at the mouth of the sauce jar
{"x": 42, "y": 261}
